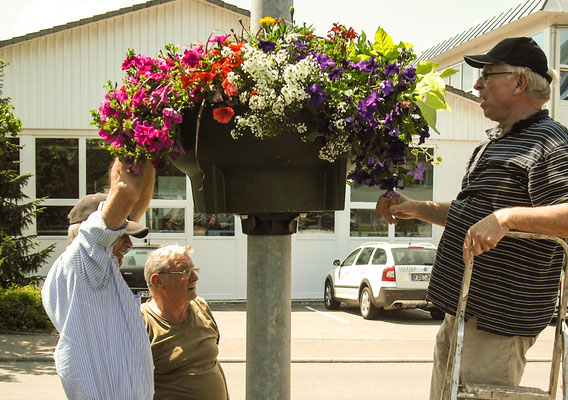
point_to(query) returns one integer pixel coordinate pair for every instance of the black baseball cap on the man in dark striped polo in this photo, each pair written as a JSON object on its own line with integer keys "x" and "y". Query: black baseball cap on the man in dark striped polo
{"x": 521, "y": 51}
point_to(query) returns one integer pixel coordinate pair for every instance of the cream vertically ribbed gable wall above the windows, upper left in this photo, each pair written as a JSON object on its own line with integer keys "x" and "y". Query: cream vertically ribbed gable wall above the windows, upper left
{"x": 54, "y": 80}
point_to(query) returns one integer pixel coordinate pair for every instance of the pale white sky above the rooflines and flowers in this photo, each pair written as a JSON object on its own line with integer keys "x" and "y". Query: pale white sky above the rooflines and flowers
{"x": 423, "y": 23}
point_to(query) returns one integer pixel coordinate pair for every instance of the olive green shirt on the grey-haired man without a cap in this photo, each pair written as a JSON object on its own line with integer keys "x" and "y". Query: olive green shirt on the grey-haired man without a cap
{"x": 185, "y": 355}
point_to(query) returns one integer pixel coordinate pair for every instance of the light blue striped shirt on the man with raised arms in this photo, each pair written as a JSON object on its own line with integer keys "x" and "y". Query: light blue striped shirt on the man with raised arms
{"x": 103, "y": 350}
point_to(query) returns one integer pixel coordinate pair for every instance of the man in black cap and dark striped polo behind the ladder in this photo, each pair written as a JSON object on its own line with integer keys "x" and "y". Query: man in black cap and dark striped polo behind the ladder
{"x": 516, "y": 179}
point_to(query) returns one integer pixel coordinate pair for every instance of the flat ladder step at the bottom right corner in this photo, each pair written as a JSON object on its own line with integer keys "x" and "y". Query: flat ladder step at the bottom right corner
{"x": 495, "y": 392}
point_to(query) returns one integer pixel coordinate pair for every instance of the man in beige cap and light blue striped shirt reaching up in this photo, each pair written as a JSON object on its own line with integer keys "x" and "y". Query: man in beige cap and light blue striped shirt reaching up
{"x": 103, "y": 350}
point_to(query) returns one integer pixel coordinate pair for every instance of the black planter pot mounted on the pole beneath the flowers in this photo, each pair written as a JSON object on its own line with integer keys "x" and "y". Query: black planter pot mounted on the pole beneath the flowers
{"x": 251, "y": 176}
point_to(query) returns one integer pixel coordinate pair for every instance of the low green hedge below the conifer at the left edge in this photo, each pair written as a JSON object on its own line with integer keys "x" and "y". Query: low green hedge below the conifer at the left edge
{"x": 21, "y": 310}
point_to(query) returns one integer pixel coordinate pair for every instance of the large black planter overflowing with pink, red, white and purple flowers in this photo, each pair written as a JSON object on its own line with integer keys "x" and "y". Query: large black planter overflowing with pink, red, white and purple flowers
{"x": 283, "y": 111}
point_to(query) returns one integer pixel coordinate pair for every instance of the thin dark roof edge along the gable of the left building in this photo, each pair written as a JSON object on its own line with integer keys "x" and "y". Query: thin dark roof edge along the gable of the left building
{"x": 111, "y": 14}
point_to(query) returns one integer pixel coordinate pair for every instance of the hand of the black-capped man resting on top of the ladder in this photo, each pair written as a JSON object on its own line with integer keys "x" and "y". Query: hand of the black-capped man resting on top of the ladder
{"x": 485, "y": 234}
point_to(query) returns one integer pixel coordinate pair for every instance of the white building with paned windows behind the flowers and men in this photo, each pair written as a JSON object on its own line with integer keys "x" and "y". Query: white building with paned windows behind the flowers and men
{"x": 56, "y": 76}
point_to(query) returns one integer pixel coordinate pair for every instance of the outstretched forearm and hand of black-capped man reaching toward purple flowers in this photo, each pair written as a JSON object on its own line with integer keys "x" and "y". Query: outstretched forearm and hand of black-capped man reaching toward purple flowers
{"x": 406, "y": 208}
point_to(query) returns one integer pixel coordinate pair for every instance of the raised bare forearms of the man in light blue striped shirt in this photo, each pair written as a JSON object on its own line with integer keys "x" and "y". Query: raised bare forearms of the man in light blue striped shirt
{"x": 129, "y": 194}
